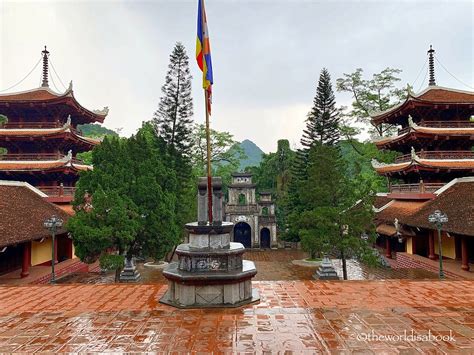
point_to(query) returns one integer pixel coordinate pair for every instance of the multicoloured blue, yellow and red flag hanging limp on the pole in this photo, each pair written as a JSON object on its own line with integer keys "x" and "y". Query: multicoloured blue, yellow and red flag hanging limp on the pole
{"x": 203, "y": 53}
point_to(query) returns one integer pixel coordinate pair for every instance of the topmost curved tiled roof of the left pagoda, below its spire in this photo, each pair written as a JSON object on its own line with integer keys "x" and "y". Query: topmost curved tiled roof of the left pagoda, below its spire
{"x": 45, "y": 95}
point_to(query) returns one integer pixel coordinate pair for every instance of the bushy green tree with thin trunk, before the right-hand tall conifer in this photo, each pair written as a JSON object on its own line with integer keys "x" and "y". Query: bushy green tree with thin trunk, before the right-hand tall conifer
{"x": 328, "y": 203}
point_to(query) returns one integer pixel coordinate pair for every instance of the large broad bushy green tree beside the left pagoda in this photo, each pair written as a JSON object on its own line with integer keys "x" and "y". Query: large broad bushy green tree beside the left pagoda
{"x": 132, "y": 188}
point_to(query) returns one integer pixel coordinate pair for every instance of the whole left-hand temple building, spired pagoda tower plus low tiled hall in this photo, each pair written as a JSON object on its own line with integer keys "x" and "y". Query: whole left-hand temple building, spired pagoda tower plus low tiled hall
{"x": 39, "y": 171}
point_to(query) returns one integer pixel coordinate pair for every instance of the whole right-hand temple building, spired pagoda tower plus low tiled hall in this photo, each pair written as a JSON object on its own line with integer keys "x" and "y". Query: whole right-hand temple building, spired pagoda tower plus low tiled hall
{"x": 435, "y": 139}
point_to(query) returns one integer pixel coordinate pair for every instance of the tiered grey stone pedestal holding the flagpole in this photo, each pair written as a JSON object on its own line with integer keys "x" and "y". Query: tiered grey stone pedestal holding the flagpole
{"x": 210, "y": 271}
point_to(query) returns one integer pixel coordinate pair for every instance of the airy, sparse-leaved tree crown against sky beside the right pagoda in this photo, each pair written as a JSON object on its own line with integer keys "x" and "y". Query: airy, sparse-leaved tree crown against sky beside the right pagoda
{"x": 372, "y": 95}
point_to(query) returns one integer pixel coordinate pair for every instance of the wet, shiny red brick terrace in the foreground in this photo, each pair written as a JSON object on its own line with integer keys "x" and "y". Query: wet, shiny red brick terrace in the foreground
{"x": 391, "y": 316}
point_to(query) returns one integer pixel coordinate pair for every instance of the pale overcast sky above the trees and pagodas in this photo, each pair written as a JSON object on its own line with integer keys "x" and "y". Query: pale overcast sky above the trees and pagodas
{"x": 267, "y": 55}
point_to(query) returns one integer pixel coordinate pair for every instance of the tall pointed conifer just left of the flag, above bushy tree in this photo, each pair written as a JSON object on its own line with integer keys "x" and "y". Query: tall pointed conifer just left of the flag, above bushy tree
{"x": 173, "y": 119}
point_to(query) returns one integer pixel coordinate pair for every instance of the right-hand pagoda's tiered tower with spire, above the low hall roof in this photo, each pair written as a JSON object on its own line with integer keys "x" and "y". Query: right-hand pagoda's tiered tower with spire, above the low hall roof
{"x": 435, "y": 138}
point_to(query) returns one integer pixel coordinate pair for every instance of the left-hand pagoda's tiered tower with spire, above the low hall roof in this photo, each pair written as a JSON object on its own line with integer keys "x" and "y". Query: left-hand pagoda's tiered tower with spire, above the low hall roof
{"x": 42, "y": 139}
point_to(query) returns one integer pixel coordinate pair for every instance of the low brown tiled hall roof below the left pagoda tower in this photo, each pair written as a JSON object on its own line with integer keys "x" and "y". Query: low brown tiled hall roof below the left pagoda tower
{"x": 23, "y": 210}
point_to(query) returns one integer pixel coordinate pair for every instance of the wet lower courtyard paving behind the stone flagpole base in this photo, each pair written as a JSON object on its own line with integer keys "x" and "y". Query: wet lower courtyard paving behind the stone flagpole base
{"x": 272, "y": 265}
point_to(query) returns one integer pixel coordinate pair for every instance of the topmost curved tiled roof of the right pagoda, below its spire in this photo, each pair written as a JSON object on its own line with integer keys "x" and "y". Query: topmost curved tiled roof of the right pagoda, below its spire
{"x": 432, "y": 95}
